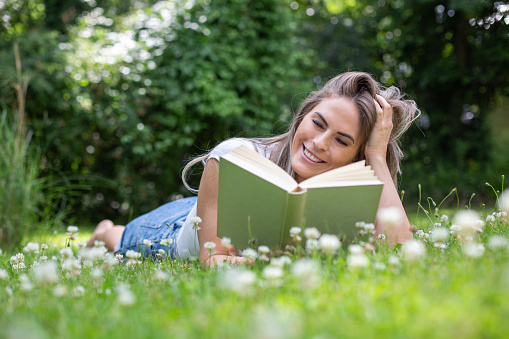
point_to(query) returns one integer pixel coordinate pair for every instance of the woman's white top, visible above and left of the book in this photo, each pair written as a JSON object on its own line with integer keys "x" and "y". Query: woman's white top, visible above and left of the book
{"x": 186, "y": 235}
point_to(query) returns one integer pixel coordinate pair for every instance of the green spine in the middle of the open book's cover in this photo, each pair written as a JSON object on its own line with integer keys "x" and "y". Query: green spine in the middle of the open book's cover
{"x": 294, "y": 214}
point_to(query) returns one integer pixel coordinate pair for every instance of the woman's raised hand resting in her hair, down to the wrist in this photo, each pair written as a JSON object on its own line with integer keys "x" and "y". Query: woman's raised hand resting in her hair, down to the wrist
{"x": 376, "y": 147}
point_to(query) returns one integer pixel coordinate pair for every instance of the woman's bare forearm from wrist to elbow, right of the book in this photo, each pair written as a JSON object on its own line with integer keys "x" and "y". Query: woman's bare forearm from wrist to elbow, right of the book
{"x": 390, "y": 198}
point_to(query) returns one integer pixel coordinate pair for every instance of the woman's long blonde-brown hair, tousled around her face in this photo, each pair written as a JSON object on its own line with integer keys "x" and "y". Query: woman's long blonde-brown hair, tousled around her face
{"x": 361, "y": 88}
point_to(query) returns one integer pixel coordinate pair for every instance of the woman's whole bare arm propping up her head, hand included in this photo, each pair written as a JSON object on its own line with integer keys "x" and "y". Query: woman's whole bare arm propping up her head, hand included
{"x": 376, "y": 150}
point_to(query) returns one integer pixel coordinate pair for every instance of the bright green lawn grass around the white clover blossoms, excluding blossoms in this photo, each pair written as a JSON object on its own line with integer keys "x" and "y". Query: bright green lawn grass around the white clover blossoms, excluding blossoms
{"x": 446, "y": 293}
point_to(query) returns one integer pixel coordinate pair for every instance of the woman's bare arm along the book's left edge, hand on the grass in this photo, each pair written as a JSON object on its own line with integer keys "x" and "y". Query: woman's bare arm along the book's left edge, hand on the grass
{"x": 207, "y": 211}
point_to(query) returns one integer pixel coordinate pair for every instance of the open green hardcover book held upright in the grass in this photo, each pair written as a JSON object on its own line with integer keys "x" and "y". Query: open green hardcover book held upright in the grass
{"x": 259, "y": 200}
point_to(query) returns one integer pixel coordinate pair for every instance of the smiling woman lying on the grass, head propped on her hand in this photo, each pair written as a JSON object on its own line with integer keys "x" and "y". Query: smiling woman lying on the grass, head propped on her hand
{"x": 351, "y": 118}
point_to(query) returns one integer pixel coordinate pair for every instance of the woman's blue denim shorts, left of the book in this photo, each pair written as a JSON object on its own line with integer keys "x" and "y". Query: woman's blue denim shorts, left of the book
{"x": 162, "y": 223}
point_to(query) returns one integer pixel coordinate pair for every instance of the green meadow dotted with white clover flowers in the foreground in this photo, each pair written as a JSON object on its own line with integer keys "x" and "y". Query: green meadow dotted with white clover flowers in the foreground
{"x": 452, "y": 280}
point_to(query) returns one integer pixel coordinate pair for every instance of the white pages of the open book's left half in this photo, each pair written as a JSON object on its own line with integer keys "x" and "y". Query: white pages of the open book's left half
{"x": 257, "y": 164}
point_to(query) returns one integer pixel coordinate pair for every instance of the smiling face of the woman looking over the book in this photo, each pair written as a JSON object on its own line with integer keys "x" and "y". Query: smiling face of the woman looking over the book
{"x": 327, "y": 138}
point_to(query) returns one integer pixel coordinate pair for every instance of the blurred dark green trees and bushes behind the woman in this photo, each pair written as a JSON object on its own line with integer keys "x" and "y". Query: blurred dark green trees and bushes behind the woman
{"x": 122, "y": 92}
